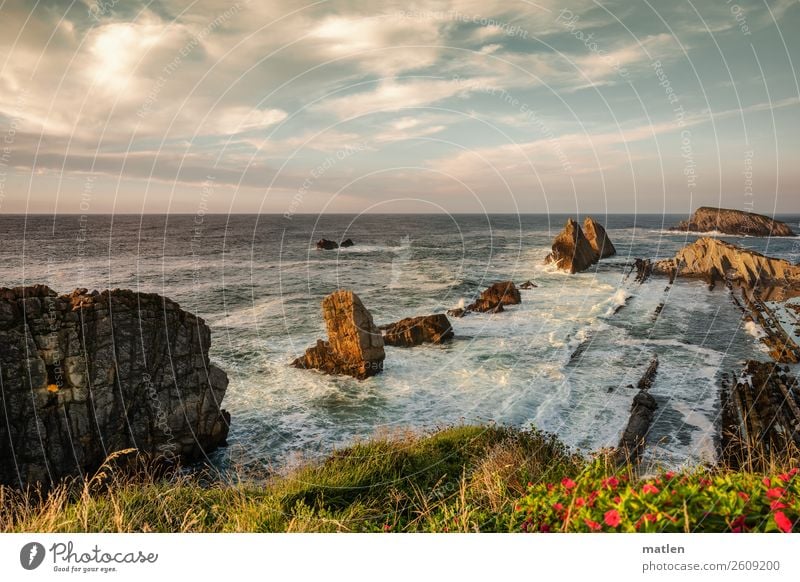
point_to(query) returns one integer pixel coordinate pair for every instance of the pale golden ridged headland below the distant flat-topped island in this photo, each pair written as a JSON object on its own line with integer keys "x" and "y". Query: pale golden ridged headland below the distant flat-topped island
{"x": 713, "y": 259}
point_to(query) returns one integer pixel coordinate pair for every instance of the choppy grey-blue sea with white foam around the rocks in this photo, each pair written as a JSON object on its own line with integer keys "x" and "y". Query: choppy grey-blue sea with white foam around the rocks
{"x": 562, "y": 360}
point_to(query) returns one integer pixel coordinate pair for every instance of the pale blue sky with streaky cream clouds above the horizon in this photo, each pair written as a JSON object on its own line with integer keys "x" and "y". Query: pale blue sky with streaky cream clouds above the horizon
{"x": 452, "y": 106}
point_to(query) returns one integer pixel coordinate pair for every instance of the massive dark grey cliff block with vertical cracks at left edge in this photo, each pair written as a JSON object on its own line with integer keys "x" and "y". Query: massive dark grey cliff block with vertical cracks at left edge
{"x": 88, "y": 374}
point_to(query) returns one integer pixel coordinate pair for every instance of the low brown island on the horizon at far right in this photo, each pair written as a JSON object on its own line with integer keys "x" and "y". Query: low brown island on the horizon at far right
{"x": 735, "y": 222}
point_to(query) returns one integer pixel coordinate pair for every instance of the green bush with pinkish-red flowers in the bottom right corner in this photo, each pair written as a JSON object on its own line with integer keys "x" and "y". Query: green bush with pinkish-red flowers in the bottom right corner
{"x": 669, "y": 502}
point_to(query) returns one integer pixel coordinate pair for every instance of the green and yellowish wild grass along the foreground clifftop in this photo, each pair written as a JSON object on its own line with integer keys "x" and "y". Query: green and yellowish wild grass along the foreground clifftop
{"x": 460, "y": 479}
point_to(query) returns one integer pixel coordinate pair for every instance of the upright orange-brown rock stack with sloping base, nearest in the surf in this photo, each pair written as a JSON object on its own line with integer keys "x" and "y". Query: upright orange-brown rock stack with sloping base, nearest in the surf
{"x": 355, "y": 344}
